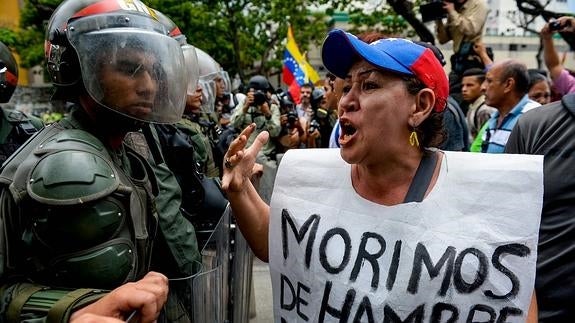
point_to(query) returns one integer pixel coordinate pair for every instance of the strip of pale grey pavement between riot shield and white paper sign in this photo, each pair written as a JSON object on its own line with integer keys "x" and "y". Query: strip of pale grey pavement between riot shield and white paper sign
{"x": 262, "y": 293}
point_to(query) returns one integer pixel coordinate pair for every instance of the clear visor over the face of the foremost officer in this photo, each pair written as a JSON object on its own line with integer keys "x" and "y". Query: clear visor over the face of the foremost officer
{"x": 131, "y": 66}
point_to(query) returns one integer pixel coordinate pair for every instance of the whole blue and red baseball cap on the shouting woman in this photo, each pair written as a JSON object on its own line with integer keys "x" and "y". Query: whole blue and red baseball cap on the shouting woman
{"x": 397, "y": 55}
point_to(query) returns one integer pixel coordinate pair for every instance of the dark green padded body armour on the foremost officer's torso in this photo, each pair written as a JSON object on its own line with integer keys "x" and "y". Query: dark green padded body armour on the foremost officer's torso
{"x": 76, "y": 227}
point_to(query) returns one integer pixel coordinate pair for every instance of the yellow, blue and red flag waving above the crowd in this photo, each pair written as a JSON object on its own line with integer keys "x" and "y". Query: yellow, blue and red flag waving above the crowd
{"x": 296, "y": 70}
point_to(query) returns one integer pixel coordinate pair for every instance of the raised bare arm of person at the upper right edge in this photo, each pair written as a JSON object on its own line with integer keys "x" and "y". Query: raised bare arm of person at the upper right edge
{"x": 563, "y": 81}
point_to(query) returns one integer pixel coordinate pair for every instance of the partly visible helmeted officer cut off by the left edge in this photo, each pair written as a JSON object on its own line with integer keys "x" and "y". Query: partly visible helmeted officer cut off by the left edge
{"x": 15, "y": 126}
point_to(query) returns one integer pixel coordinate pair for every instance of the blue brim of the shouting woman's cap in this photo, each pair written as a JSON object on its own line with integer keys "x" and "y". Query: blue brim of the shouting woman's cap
{"x": 339, "y": 52}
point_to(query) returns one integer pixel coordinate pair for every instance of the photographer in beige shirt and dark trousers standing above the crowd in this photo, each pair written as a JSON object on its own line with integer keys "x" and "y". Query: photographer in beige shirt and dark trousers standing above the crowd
{"x": 465, "y": 22}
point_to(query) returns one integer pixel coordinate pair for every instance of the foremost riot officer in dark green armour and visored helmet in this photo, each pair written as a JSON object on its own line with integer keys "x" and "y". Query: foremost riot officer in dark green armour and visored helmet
{"x": 83, "y": 211}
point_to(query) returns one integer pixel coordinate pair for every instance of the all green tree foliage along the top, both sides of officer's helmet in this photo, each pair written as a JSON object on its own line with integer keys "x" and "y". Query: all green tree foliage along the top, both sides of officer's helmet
{"x": 245, "y": 36}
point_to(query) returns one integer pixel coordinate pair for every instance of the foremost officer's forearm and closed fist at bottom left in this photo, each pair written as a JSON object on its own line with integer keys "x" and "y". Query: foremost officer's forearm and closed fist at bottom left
{"x": 144, "y": 298}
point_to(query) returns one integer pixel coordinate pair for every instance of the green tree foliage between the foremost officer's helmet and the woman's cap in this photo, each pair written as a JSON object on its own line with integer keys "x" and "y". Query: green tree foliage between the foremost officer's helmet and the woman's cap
{"x": 246, "y": 36}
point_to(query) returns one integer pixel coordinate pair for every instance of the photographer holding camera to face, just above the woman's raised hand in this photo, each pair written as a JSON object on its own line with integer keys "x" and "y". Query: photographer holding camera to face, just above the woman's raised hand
{"x": 258, "y": 108}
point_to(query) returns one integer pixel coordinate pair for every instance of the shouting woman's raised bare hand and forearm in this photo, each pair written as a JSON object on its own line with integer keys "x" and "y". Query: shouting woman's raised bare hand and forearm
{"x": 251, "y": 212}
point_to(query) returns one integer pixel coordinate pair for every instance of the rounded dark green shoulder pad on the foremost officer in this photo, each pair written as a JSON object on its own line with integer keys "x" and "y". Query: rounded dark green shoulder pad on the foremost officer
{"x": 74, "y": 167}
